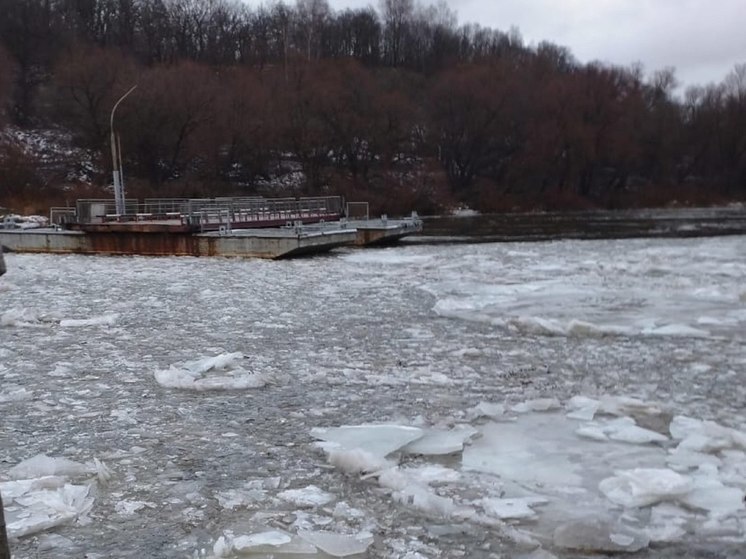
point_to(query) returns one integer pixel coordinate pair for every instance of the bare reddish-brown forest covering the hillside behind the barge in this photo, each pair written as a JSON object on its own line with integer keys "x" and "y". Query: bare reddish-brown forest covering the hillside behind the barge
{"x": 400, "y": 106}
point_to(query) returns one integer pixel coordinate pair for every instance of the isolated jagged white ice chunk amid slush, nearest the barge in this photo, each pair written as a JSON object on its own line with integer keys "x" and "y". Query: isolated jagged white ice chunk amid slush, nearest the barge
{"x": 194, "y": 374}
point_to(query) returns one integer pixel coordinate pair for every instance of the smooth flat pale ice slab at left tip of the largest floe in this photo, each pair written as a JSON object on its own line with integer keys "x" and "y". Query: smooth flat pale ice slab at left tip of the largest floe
{"x": 376, "y": 440}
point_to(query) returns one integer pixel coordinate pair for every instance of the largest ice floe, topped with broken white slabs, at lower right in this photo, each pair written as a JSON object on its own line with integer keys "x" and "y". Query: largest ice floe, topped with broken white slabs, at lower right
{"x": 589, "y": 479}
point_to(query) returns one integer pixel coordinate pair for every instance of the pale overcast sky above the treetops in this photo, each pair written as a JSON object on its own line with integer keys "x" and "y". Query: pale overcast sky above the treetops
{"x": 702, "y": 39}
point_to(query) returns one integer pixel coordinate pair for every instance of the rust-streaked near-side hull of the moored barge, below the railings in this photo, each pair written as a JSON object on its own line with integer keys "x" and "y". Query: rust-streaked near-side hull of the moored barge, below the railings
{"x": 245, "y": 243}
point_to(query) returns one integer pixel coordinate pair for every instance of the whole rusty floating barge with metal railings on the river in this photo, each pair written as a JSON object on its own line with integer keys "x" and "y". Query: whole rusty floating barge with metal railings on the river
{"x": 241, "y": 227}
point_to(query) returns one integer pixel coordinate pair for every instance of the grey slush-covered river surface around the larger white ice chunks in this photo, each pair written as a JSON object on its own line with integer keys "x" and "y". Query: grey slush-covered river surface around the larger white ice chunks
{"x": 97, "y": 357}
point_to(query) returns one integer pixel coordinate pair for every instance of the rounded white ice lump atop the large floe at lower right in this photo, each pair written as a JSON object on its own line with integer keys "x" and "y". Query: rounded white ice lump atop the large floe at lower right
{"x": 641, "y": 487}
